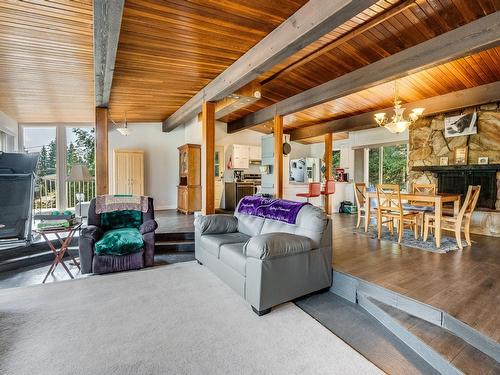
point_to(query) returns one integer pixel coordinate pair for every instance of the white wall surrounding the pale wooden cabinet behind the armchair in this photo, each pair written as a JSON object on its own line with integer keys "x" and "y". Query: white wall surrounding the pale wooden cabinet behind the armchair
{"x": 161, "y": 159}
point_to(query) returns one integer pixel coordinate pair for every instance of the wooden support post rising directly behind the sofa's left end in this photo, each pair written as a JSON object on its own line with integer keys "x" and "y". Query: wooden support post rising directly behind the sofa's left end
{"x": 208, "y": 158}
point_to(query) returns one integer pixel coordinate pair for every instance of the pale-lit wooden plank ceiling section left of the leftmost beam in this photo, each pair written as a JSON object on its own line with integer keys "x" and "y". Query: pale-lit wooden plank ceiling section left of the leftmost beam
{"x": 46, "y": 60}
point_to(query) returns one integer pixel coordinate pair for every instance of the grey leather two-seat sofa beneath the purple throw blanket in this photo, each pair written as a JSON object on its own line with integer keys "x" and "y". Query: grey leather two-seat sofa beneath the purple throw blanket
{"x": 267, "y": 261}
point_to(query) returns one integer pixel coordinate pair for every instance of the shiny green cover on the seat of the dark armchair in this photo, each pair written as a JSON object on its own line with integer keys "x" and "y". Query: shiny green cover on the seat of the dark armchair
{"x": 120, "y": 241}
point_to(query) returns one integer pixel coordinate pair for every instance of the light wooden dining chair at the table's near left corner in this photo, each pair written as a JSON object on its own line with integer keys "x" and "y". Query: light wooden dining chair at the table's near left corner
{"x": 389, "y": 207}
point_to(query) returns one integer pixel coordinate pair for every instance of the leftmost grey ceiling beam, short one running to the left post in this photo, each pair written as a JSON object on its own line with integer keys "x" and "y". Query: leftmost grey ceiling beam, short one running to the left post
{"x": 107, "y": 23}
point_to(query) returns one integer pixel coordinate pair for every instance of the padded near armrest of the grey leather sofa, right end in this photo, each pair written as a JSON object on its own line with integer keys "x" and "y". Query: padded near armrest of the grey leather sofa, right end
{"x": 275, "y": 245}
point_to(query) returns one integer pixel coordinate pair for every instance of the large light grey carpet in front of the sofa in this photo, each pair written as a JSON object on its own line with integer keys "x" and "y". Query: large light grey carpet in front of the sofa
{"x": 175, "y": 319}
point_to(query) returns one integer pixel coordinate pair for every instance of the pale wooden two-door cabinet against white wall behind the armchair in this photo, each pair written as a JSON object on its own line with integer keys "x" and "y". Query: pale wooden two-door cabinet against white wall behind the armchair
{"x": 128, "y": 172}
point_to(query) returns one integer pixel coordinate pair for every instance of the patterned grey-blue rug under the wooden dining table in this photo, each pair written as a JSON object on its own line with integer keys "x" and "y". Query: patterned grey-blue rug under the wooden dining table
{"x": 447, "y": 243}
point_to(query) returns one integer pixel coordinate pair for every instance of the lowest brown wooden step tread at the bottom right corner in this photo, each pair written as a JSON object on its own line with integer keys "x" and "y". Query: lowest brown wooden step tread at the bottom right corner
{"x": 453, "y": 350}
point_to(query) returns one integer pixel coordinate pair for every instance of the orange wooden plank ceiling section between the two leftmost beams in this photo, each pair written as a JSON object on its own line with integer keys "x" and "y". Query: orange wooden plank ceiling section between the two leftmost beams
{"x": 169, "y": 50}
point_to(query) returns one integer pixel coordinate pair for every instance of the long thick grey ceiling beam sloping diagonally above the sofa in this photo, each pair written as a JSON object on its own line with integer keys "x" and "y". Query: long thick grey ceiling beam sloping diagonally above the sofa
{"x": 312, "y": 21}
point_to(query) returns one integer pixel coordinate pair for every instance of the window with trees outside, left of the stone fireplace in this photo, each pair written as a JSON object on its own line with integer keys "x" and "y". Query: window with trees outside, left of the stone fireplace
{"x": 388, "y": 165}
